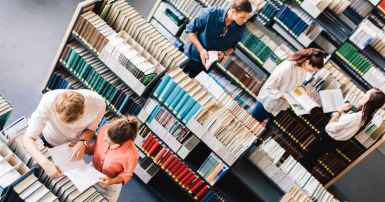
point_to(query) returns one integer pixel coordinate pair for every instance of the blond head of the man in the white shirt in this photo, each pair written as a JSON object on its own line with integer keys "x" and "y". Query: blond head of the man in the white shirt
{"x": 70, "y": 107}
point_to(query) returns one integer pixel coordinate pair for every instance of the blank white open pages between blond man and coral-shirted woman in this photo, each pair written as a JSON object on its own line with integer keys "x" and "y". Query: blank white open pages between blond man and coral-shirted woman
{"x": 81, "y": 174}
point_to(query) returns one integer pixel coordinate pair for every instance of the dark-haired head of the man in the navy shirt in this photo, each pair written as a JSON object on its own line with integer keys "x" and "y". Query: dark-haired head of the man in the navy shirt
{"x": 240, "y": 11}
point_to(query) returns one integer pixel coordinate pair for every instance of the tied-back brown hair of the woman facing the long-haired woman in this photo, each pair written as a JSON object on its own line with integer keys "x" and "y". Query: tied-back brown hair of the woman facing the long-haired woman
{"x": 314, "y": 55}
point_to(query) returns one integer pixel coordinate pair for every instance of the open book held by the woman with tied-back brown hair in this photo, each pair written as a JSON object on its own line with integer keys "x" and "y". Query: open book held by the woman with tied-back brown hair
{"x": 300, "y": 101}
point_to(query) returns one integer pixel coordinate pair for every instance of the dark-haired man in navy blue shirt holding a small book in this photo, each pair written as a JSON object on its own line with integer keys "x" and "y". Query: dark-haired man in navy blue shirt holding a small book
{"x": 214, "y": 29}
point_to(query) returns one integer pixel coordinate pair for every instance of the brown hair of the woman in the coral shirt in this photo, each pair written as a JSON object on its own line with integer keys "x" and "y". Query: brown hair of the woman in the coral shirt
{"x": 124, "y": 129}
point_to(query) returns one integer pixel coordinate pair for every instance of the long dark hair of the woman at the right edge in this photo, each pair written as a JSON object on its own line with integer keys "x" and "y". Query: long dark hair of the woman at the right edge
{"x": 375, "y": 102}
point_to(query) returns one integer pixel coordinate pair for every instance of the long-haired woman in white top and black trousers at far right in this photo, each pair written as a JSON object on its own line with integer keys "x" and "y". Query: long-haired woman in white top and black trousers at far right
{"x": 342, "y": 127}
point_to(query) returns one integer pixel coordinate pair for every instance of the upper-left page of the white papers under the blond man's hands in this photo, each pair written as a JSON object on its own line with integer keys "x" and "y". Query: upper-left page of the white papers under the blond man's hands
{"x": 61, "y": 156}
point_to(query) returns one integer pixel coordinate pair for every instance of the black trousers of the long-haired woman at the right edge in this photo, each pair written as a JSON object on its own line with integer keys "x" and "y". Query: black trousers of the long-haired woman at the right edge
{"x": 321, "y": 145}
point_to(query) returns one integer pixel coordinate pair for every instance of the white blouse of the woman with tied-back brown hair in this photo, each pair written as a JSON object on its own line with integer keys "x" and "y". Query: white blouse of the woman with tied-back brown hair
{"x": 285, "y": 78}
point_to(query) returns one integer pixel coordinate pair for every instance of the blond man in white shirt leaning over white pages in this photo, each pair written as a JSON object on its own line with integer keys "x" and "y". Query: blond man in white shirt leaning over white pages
{"x": 64, "y": 116}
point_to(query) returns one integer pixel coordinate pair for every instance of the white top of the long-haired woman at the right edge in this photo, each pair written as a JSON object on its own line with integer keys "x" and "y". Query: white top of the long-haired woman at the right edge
{"x": 345, "y": 126}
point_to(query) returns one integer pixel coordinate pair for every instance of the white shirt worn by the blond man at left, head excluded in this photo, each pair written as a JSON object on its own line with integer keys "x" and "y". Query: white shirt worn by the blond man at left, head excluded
{"x": 56, "y": 132}
